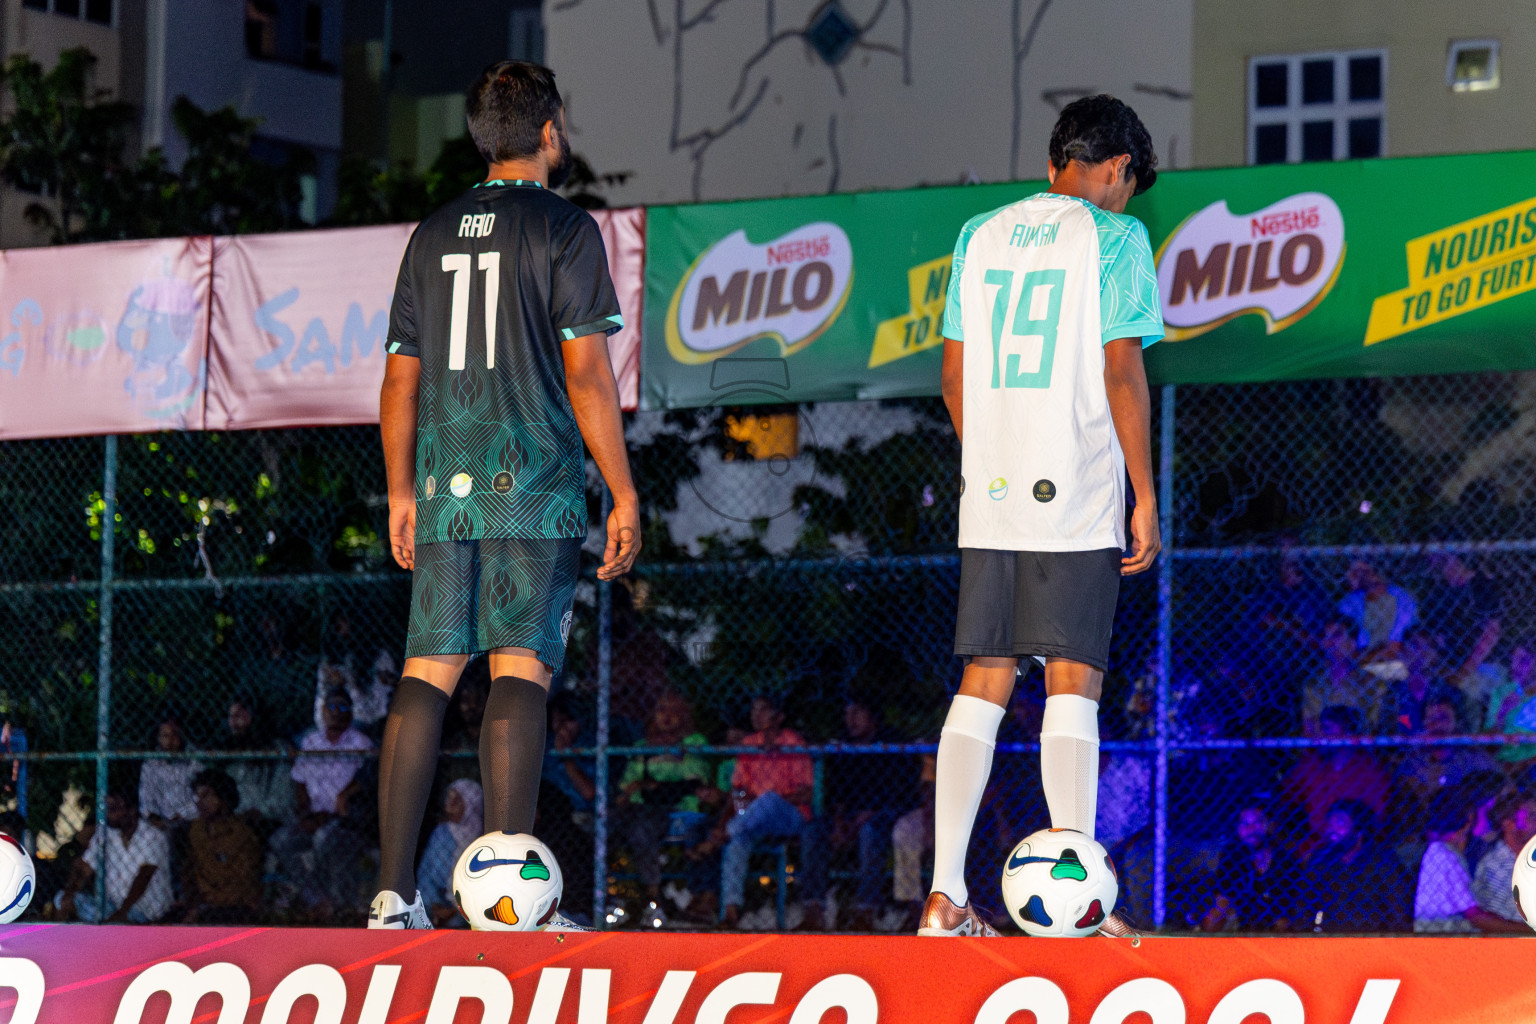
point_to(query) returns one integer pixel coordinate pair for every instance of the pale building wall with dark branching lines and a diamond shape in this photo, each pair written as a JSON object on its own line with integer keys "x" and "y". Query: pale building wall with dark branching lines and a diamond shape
{"x": 929, "y": 101}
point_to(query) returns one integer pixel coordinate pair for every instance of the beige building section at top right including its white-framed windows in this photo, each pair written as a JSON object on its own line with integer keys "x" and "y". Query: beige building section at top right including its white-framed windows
{"x": 1325, "y": 81}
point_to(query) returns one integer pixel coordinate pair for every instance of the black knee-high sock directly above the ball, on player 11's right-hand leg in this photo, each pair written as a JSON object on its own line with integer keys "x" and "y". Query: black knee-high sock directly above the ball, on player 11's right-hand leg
{"x": 512, "y": 753}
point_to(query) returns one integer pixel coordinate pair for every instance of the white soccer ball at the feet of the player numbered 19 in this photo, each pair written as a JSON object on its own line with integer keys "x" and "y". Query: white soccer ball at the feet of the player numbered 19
{"x": 1059, "y": 882}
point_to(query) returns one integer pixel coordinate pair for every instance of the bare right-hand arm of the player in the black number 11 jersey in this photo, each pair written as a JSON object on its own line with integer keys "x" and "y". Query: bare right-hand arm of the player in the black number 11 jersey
{"x": 595, "y": 400}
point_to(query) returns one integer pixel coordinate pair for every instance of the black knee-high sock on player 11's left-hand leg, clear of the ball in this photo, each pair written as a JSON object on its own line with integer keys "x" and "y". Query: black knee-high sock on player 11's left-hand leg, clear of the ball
{"x": 408, "y": 762}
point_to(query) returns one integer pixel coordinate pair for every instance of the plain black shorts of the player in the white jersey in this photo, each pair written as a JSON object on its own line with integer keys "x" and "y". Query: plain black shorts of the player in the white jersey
{"x": 1054, "y": 604}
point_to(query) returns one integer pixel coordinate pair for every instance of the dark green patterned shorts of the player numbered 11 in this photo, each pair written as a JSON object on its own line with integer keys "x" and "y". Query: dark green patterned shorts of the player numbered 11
{"x": 472, "y": 596}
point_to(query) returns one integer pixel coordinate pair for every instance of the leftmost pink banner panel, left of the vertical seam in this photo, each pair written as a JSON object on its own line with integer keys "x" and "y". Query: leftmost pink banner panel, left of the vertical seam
{"x": 107, "y": 339}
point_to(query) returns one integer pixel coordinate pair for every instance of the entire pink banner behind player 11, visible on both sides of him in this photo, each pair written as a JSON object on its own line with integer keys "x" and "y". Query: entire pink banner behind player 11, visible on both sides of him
{"x": 228, "y": 334}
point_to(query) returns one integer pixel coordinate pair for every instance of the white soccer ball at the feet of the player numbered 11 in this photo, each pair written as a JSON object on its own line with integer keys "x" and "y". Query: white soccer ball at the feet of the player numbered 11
{"x": 508, "y": 882}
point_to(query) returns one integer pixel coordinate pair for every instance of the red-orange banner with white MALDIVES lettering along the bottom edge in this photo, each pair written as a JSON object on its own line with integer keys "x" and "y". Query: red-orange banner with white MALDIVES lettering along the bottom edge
{"x": 180, "y": 976}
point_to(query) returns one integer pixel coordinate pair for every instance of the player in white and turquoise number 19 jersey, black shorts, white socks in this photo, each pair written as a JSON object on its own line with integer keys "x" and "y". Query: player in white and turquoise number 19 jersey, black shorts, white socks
{"x": 1051, "y": 302}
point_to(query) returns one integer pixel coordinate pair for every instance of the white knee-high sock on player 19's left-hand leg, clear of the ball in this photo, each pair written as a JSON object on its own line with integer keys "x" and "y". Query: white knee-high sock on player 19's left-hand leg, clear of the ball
{"x": 965, "y": 761}
